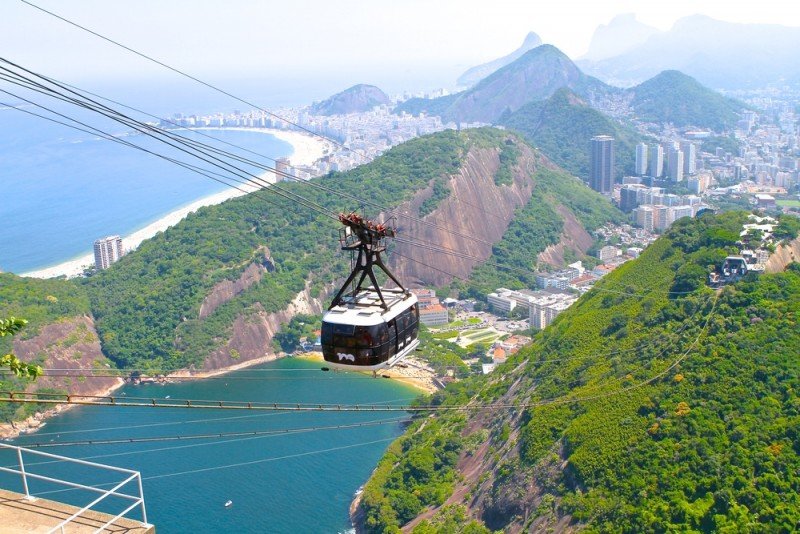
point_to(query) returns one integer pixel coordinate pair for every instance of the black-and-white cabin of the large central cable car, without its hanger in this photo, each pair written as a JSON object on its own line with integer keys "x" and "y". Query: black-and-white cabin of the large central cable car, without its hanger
{"x": 359, "y": 334}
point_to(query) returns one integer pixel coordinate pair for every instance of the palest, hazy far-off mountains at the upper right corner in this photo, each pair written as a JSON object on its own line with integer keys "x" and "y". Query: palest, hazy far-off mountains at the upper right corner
{"x": 719, "y": 54}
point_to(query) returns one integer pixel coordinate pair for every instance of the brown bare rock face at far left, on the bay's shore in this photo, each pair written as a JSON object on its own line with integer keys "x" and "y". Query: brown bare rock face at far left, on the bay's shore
{"x": 71, "y": 345}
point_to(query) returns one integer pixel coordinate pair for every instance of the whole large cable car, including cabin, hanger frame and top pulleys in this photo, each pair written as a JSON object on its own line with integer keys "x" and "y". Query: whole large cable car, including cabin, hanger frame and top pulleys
{"x": 368, "y": 327}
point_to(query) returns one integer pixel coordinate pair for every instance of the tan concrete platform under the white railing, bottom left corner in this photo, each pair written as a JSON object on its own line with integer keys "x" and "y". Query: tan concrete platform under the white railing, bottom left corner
{"x": 17, "y": 515}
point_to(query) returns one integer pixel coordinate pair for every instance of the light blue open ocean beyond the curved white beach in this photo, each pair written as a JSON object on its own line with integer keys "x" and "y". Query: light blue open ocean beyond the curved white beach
{"x": 61, "y": 189}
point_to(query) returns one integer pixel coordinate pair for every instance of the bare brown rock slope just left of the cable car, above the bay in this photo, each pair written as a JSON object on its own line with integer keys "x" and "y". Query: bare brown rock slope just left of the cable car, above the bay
{"x": 251, "y": 337}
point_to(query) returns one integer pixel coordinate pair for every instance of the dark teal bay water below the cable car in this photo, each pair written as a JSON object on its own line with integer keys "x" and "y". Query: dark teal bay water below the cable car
{"x": 281, "y": 483}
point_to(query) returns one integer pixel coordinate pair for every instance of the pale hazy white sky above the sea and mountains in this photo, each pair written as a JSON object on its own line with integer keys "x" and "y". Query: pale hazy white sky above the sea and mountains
{"x": 420, "y": 44}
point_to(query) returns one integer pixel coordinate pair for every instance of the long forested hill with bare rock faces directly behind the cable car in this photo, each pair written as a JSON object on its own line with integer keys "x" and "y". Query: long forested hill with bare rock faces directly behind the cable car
{"x": 213, "y": 290}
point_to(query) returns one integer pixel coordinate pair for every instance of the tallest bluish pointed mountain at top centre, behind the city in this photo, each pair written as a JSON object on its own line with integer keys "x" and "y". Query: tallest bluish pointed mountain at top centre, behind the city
{"x": 536, "y": 75}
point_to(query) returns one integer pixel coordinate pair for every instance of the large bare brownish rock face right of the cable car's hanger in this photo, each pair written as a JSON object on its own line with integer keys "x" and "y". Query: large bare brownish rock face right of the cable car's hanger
{"x": 477, "y": 207}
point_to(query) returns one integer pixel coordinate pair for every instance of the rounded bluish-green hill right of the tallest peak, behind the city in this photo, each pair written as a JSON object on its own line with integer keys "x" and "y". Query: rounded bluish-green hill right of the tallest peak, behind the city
{"x": 674, "y": 97}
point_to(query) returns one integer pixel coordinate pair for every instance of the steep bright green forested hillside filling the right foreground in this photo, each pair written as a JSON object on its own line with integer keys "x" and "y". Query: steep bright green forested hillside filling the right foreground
{"x": 637, "y": 410}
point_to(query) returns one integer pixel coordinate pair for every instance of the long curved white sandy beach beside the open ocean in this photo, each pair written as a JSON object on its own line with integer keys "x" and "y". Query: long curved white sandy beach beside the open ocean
{"x": 306, "y": 149}
